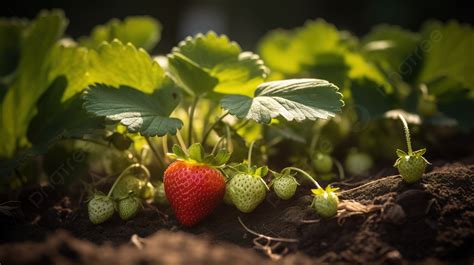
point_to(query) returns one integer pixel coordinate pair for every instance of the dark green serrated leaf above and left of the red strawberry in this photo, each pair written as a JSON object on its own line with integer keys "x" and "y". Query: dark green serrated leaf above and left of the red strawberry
{"x": 140, "y": 112}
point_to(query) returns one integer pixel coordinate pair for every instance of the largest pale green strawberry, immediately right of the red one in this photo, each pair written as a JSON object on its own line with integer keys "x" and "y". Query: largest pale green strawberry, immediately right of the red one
{"x": 247, "y": 191}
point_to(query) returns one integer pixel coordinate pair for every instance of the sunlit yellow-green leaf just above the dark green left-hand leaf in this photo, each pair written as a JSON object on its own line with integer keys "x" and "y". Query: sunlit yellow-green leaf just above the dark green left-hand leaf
{"x": 117, "y": 64}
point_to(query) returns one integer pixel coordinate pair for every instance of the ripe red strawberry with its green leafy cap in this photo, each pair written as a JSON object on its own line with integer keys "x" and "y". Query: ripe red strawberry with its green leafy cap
{"x": 193, "y": 184}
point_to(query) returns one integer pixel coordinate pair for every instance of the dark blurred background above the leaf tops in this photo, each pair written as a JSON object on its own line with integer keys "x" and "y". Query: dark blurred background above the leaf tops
{"x": 245, "y": 21}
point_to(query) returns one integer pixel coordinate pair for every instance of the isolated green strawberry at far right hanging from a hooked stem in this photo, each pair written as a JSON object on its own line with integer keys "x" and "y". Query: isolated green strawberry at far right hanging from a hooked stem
{"x": 411, "y": 167}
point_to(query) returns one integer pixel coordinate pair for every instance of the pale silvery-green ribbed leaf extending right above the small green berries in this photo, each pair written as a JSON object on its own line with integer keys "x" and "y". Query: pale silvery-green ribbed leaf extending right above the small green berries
{"x": 294, "y": 99}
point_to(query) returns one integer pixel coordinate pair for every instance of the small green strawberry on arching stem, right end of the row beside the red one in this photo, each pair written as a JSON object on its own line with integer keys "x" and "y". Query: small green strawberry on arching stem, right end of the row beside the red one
{"x": 325, "y": 202}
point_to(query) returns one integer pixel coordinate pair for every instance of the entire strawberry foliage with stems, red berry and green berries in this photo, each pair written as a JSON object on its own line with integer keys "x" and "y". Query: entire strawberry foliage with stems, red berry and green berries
{"x": 107, "y": 91}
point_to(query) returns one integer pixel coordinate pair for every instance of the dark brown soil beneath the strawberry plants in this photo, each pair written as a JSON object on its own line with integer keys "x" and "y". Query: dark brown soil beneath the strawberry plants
{"x": 430, "y": 222}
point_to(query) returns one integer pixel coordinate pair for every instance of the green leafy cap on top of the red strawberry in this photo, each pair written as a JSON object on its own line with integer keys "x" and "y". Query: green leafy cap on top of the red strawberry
{"x": 197, "y": 155}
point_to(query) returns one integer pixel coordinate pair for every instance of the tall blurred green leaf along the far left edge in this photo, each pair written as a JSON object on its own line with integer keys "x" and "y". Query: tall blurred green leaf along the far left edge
{"x": 18, "y": 106}
